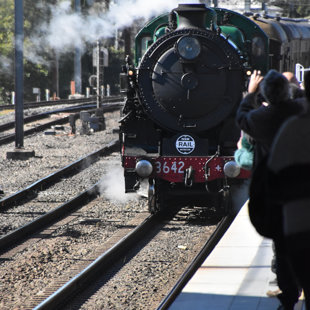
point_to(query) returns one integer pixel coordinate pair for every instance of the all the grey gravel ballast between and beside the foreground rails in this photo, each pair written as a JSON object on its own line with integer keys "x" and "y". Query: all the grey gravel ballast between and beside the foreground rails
{"x": 28, "y": 273}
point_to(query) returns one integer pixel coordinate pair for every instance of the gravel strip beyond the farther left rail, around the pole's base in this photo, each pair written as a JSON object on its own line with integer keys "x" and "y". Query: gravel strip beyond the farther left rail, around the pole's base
{"x": 51, "y": 153}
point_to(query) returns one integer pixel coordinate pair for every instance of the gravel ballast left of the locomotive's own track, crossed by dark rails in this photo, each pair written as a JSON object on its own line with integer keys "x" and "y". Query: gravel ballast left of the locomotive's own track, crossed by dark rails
{"x": 30, "y": 271}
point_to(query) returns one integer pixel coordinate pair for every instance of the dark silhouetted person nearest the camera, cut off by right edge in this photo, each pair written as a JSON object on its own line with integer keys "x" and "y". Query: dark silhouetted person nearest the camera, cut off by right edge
{"x": 289, "y": 183}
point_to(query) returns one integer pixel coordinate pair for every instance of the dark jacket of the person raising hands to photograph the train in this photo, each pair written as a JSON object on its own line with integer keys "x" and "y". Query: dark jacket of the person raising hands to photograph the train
{"x": 263, "y": 122}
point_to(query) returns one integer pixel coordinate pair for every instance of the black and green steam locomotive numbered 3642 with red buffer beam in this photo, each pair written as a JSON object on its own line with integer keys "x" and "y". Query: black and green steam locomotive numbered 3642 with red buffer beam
{"x": 183, "y": 88}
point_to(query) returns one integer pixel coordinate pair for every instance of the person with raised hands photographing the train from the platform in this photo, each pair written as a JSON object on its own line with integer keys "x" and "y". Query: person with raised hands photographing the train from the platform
{"x": 262, "y": 122}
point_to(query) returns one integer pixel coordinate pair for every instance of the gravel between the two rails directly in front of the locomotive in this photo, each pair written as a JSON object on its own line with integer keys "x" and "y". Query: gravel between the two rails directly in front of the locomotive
{"x": 149, "y": 276}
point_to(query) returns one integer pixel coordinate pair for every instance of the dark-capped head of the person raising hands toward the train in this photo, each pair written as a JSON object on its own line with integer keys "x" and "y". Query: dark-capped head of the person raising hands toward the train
{"x": 275, "y": 87}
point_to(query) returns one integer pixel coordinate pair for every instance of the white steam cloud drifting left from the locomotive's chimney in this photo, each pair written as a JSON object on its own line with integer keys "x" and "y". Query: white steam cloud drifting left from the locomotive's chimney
{"x": 68, "y": 29}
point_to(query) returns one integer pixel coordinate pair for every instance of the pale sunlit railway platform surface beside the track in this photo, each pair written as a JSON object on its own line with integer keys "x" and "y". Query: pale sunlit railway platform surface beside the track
{"x": 236, "y": 276}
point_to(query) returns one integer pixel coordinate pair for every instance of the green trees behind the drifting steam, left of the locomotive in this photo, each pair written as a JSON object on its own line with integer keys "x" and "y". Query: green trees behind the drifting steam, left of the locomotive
{"x": 40, "y": 59}
